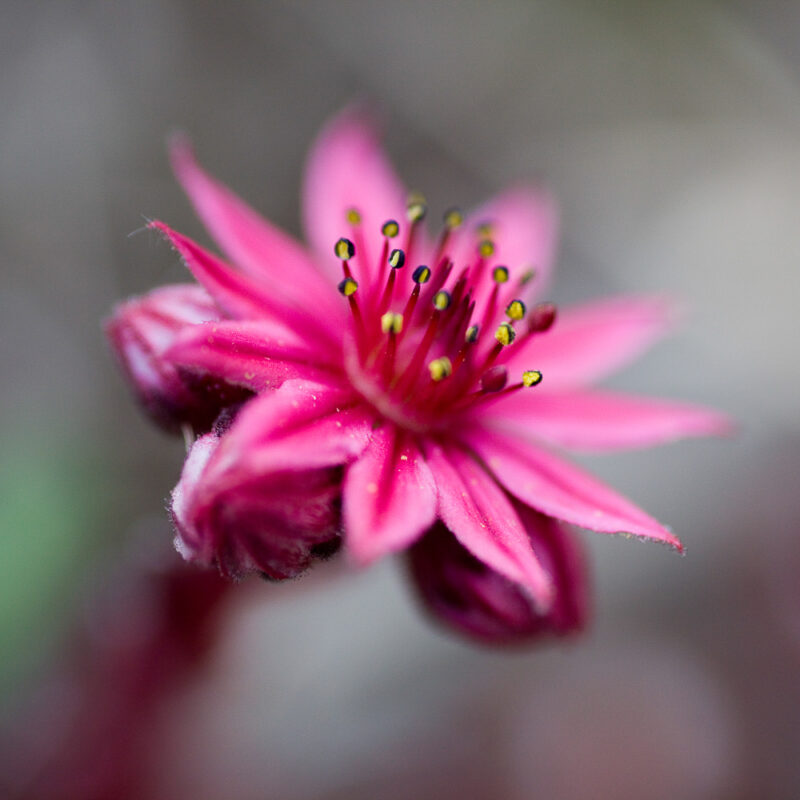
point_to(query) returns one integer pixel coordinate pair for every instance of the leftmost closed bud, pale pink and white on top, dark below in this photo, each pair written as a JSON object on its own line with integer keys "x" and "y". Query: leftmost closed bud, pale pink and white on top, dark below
{"x": 141, "y": 330}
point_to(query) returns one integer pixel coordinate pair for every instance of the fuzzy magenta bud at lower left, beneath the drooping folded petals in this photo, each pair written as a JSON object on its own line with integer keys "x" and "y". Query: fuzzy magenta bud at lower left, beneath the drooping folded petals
{"x": 241, "y": 522}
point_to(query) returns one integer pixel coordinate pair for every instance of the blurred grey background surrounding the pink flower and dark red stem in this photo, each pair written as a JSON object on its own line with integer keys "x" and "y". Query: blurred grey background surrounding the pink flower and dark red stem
{"x": 670, "y": 132}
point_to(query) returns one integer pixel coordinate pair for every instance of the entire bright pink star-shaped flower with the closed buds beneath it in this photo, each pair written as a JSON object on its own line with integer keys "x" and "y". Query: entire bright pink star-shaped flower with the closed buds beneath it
{"x": 428, "y": 392}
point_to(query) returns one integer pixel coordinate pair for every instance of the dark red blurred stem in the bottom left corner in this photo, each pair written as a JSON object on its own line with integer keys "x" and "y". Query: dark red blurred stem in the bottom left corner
{"x": 84, "y": 734}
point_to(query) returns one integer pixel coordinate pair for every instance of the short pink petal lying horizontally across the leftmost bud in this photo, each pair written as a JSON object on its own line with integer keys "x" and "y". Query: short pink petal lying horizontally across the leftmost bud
{"x": 257, "y": 354}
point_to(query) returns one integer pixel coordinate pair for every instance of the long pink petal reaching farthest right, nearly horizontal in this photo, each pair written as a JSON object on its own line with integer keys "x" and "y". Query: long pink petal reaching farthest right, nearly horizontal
{"x": 598, "y": 421}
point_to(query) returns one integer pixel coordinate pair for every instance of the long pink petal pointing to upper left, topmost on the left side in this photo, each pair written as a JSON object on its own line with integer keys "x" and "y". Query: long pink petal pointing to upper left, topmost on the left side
{"x": 250, "y": 241}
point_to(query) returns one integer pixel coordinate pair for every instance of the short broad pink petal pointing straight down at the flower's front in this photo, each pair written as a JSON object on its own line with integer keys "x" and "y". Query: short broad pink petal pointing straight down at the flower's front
{"x": 389, "y": 496}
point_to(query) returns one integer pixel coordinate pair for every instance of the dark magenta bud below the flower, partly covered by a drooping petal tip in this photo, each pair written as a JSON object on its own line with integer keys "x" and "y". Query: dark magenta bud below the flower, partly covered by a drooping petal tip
{"x": 465, "y": 594}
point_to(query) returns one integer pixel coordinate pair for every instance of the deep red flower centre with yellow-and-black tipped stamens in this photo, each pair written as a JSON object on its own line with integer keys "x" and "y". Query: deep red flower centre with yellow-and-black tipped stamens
{"x": 428, "y": 344}
